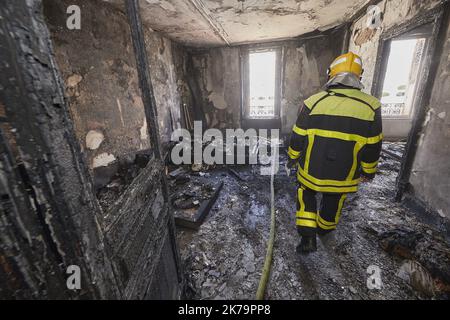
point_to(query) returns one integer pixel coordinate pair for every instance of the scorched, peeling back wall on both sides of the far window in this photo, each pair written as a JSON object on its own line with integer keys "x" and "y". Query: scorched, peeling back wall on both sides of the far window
{"x": 214, "y": 78}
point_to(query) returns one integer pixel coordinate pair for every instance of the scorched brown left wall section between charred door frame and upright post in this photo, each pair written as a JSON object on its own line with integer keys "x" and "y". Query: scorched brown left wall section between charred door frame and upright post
{"x": 99, "y": 71}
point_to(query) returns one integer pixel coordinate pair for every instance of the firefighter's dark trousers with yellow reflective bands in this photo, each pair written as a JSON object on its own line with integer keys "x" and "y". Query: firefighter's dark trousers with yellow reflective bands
{"x": 310, "y": 220}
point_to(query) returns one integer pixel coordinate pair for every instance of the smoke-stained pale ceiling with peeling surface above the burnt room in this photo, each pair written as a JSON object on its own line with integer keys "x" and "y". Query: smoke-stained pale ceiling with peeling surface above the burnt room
{"x": 229, "y": 22}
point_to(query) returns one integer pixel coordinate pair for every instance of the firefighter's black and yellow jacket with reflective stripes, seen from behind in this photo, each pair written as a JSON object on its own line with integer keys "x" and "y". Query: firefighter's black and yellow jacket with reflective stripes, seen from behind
{"x": 336, "y": 139}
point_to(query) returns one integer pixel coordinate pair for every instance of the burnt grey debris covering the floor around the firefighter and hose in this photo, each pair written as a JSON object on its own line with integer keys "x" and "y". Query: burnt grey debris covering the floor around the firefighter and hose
{"x": 224, "y": 258}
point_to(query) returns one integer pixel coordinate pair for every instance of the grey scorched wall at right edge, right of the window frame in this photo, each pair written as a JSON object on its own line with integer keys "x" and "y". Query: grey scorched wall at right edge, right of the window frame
{"x": 430, "y": 174}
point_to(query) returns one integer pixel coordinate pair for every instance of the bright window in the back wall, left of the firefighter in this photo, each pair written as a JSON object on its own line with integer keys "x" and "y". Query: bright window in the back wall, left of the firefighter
{"x": 262, "y": 84}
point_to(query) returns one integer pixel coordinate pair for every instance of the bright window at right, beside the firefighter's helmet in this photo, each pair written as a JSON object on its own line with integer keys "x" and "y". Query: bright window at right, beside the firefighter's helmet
{"x": 401, "y": 76}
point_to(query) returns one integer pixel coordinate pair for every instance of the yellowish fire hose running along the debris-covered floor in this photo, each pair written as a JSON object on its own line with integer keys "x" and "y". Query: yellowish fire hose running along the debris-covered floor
{"x": 269, "y": 254}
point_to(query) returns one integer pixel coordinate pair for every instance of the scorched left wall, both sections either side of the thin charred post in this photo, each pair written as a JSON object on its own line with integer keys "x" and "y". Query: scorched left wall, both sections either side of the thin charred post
{"x": 102, "y": 87}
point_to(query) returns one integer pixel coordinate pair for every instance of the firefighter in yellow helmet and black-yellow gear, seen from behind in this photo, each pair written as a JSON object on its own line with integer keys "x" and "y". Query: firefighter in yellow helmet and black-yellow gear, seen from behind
{"x": 336, "y": 144}
